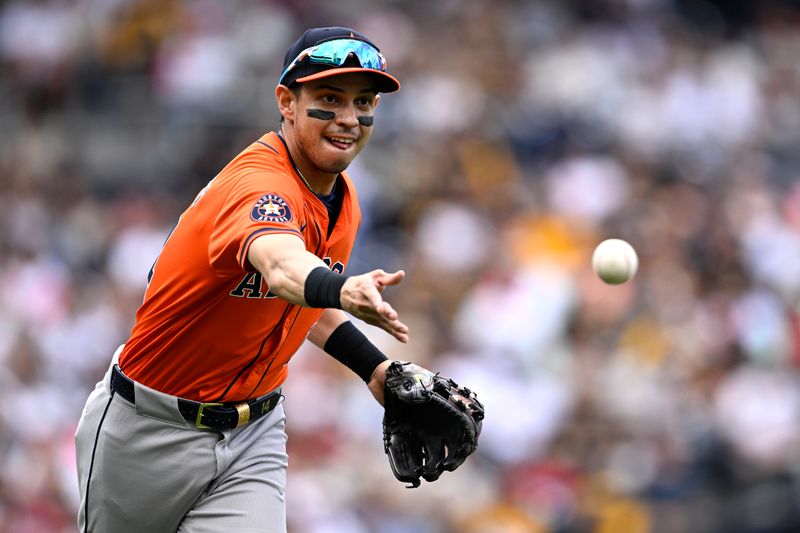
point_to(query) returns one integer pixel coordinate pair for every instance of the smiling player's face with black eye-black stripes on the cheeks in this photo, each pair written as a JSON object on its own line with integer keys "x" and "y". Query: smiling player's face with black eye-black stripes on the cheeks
{"x": 331, "y": 145}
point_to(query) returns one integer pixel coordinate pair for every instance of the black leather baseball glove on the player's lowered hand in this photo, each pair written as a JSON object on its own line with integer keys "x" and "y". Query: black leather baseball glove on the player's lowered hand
{"x": 430, "y": 423}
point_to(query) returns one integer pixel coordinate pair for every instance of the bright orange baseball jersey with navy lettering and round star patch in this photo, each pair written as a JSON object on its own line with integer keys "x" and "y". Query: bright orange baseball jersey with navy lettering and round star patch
{"x": 209, "y": 329}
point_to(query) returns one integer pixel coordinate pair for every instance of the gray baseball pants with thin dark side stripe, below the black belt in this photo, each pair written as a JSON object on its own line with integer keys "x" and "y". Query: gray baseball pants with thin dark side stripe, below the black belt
{"x": 143, "y": 468}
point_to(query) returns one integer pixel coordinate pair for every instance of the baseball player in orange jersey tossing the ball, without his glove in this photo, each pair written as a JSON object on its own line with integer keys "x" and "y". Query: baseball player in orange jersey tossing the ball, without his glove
{"x": 186, "y": 430}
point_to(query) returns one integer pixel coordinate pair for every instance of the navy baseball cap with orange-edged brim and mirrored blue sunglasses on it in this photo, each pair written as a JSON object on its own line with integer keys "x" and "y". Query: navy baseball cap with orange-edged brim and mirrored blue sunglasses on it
{"x": 323, "y": 52}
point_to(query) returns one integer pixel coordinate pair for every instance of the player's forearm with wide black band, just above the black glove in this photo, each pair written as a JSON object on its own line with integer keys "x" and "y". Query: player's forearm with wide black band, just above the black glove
{"x": 335, "y": 334}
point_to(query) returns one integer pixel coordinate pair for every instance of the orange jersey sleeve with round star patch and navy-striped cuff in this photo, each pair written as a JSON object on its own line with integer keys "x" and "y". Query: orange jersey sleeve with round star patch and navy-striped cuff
{"x": 258, "y": 203}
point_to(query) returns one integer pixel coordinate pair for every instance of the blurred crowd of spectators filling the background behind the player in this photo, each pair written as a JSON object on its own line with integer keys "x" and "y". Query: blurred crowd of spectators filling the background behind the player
{"x": 526, "y": 132}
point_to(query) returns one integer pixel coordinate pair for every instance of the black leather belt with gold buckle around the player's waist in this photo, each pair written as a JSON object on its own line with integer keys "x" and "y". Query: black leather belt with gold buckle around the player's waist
{"x": 205, "y": 415}
